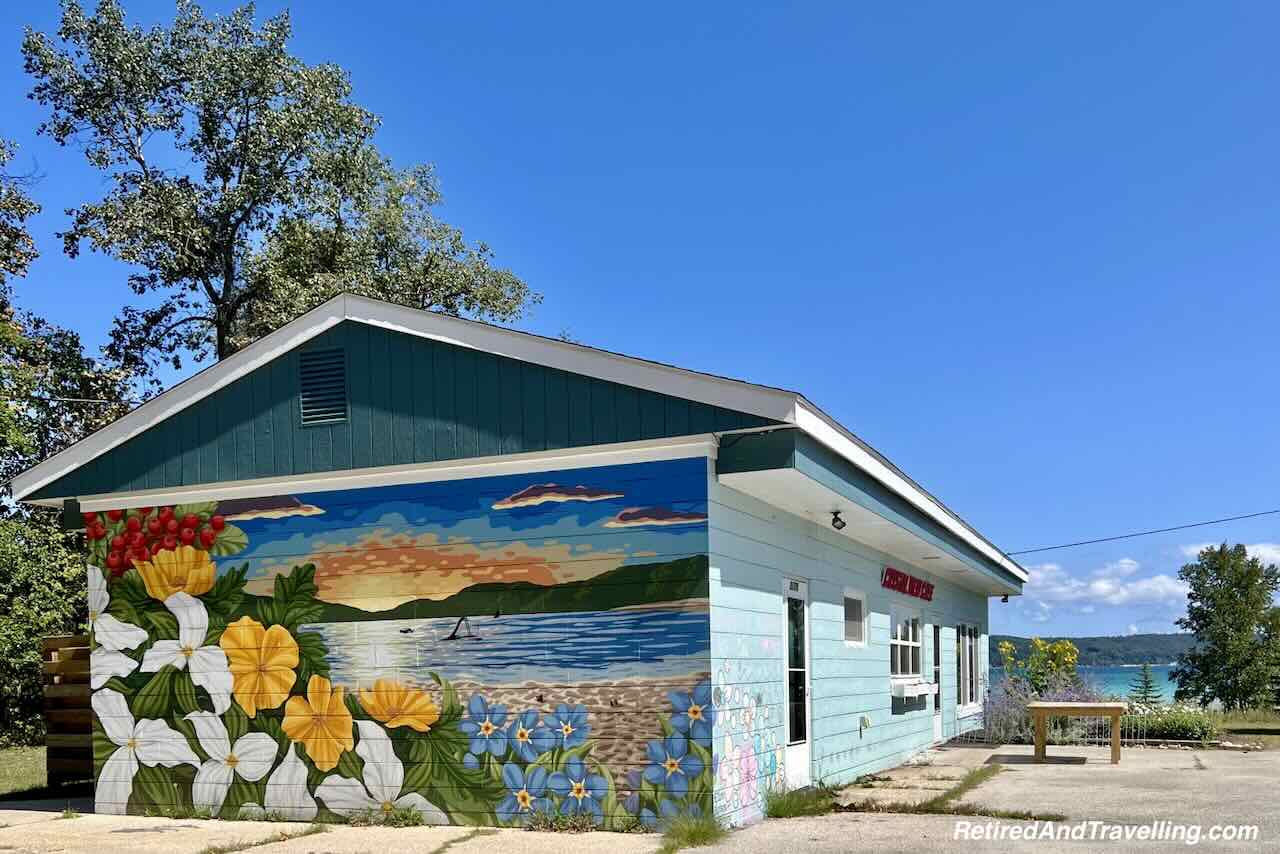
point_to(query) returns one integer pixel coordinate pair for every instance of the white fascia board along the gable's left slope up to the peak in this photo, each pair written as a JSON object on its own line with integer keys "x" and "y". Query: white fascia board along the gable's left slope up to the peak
{"x": 181, "y": 396}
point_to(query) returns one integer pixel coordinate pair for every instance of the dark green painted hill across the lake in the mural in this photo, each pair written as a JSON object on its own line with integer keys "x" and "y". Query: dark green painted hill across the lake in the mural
{"x": 628, "y": 586}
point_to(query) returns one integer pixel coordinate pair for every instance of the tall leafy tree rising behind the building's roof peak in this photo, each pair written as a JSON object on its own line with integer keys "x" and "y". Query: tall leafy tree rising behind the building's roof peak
{"x": 243, "y": 184}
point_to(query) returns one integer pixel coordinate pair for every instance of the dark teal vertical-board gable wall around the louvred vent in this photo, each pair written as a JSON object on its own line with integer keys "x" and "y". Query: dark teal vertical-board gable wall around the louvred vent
{"x": 413, "y": 400}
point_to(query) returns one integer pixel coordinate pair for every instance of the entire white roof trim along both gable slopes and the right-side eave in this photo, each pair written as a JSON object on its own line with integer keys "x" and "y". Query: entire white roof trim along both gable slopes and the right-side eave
{"x": 767, "y": 403}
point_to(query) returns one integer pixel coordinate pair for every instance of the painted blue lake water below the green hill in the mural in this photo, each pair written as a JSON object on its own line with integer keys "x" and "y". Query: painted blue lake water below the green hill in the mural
{"x": 557, "y": 649}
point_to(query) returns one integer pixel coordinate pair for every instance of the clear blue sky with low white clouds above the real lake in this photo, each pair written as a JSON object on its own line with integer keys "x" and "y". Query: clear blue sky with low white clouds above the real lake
{"x": 1027, "y": 253}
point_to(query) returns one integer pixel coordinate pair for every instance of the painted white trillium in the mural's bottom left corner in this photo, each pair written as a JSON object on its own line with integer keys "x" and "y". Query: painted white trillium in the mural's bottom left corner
{"x": 147, "y": 742}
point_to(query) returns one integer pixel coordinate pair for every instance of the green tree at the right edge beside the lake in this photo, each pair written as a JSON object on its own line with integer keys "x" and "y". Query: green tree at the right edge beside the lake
{"x": 1231, "y": 611}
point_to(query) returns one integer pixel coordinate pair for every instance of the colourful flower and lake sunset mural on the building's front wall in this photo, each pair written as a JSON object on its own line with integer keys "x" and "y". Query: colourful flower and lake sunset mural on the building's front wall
{"x": 477, "y": 651}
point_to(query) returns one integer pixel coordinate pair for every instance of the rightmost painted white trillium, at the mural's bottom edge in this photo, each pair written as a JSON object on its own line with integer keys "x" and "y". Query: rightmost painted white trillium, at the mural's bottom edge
{"x": 385, "y": 777}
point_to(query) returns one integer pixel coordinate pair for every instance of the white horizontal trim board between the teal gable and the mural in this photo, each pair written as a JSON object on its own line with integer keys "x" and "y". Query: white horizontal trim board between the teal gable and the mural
{"x": 534, "y": 463}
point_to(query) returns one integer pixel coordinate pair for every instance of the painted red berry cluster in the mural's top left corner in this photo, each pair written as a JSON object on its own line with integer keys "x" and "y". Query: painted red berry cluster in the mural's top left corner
{"x": 149, "y": 531}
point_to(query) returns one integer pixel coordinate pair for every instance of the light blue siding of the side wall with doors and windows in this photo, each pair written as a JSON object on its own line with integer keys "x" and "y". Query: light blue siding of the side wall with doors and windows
{"x": 753, "y": 549}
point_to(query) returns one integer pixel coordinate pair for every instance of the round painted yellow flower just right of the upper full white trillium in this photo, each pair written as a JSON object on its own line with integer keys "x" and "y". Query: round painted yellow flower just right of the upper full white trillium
{"x": 262, "y": 663}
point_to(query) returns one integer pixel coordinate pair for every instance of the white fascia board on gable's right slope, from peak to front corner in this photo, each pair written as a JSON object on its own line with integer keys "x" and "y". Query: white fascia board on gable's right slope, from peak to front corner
{"x": 666, "y": 380}
